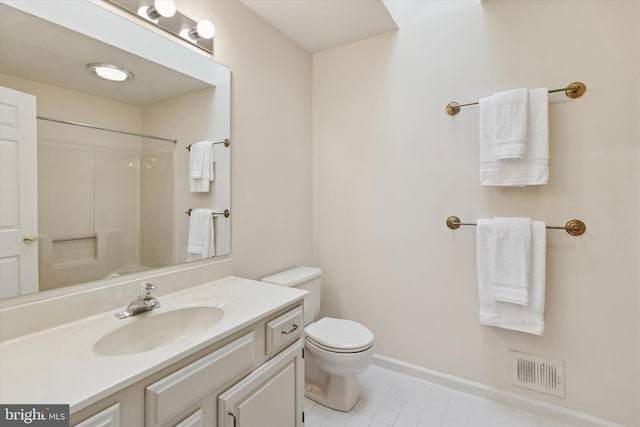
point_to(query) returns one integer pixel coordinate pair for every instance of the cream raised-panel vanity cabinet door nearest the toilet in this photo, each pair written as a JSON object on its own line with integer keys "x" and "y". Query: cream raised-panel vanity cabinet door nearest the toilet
{"x": 270, "y": 396}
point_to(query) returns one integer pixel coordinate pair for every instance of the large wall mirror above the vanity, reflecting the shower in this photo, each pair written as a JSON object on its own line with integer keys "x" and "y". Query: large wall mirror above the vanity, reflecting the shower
{"x": 108, "y": 203}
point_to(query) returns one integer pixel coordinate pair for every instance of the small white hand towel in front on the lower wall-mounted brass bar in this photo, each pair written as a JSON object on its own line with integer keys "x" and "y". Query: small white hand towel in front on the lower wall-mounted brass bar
{"x": 512, "y": 245}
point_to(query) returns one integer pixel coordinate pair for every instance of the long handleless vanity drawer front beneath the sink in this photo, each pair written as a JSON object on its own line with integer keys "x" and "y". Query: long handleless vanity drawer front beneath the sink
{"x": 176, "y": 392}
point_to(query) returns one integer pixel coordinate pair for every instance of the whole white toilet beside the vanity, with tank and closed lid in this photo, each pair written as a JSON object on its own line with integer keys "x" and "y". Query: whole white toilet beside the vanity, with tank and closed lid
{"x": 337, "y": 350}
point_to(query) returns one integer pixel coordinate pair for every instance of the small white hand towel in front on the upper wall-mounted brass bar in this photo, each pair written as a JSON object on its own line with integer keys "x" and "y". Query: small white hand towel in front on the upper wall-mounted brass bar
{"x": 511, "y": 122}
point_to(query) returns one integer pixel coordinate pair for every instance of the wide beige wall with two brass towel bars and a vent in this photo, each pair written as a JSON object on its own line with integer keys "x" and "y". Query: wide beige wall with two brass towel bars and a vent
{"x": 390, "y": 166}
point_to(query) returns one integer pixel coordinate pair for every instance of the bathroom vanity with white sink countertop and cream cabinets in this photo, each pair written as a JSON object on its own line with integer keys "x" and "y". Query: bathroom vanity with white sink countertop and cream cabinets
{"x": 243, "y": 368}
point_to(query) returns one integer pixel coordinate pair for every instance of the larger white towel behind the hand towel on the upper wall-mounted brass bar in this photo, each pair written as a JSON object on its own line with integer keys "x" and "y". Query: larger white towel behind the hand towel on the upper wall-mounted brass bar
{"x": 533, "y": 168}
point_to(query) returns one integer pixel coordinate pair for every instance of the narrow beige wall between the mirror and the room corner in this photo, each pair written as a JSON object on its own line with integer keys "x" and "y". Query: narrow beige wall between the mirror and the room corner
{"x": 271, "y": 166}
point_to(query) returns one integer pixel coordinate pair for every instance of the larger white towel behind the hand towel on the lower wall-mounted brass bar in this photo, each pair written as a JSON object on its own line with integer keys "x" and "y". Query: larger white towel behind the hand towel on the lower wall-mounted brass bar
{"x": 526, "y": 318}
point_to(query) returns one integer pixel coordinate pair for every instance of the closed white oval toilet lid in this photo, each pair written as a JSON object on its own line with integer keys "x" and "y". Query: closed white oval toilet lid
{"x": 339, "y": 334}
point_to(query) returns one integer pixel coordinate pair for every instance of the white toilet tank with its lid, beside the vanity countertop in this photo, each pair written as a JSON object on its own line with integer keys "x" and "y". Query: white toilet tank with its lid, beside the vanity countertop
{"x": 305, "y": 278}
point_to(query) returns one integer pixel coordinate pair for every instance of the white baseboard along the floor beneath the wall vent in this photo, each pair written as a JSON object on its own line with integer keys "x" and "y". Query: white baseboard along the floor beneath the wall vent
{"x": 540, "y": 408}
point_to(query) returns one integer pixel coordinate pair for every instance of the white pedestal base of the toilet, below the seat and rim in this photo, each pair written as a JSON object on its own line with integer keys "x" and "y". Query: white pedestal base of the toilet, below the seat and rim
{"x": 333, "y": 391}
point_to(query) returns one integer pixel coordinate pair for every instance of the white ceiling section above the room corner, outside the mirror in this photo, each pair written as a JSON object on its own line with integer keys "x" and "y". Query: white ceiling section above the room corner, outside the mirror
{"x": 318, "y": 25}
